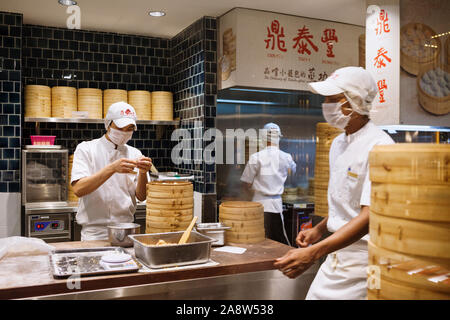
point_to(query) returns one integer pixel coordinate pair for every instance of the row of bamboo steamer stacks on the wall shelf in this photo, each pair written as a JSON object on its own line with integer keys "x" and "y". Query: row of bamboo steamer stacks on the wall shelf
{"x": 60, "y": 102}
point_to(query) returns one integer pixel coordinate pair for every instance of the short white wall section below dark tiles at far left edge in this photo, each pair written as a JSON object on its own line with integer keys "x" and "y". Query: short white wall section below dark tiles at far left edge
{"x": 9, "y": 214}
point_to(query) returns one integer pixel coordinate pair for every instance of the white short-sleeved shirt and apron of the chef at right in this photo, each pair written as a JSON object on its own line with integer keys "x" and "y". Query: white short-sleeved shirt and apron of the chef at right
{"x": 343, "y": 275}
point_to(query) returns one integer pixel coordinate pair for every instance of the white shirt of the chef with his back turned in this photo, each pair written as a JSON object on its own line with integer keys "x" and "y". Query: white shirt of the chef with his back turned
{"x": 267, "y": 171}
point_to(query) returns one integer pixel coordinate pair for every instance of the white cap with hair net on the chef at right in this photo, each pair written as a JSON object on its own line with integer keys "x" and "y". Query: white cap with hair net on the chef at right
{"x": 356, "y": 83}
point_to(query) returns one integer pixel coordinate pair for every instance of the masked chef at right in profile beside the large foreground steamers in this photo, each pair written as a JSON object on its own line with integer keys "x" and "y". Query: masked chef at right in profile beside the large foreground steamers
{"x": 349, "y": 93}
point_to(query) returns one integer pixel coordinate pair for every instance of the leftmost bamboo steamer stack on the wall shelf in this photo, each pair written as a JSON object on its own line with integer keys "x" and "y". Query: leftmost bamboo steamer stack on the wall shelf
{"x": 38, "y": 101}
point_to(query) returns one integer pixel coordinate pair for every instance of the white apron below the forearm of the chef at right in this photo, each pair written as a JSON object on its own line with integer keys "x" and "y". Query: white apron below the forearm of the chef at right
{"x": 343, "y": 275}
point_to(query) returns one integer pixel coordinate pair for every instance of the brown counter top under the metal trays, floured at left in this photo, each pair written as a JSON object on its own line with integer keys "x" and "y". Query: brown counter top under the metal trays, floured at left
{"x": 30, "y": 276}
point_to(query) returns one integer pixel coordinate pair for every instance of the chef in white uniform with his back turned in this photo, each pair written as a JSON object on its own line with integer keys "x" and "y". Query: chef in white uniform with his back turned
{"x": 265, "y": 175}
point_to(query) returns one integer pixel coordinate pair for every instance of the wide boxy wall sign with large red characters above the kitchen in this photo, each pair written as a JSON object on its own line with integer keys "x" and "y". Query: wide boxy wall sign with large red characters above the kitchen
{"x": 271, "y": 50}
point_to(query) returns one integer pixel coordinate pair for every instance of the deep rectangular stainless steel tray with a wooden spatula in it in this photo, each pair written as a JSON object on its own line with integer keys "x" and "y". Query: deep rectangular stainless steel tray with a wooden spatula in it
{"x": 196, "y": 250}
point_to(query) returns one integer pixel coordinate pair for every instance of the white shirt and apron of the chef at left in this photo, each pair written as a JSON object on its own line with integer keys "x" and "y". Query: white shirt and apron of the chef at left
{"x": 115, "y": 200}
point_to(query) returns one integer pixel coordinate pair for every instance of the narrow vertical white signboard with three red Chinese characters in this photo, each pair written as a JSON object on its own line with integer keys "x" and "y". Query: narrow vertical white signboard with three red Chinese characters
{"x": 383, "y": 58}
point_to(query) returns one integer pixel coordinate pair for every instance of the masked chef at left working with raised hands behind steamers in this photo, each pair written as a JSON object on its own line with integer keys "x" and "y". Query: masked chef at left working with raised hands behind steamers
{"x": 108, "y": 175}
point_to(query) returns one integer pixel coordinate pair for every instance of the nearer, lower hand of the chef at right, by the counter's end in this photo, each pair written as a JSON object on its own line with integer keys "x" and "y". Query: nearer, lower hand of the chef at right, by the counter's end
{"x": 295, "y": 262}
